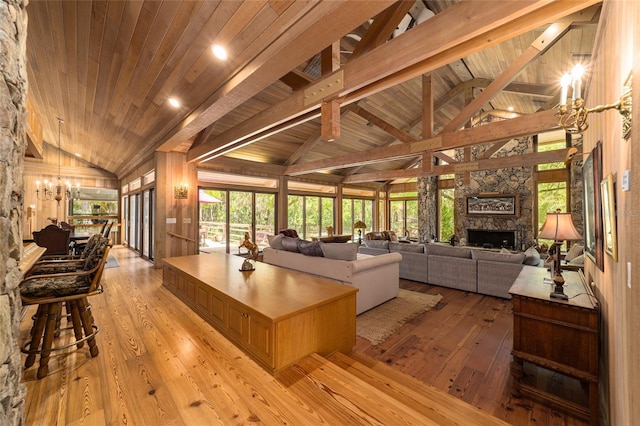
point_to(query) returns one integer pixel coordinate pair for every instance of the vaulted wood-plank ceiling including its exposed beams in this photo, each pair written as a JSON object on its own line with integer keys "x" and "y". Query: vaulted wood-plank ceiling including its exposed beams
{"x": 109, "y": 68}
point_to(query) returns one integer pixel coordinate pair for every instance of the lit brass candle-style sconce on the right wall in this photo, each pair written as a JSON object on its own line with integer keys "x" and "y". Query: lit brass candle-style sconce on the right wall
{"x": 574, "y": 120}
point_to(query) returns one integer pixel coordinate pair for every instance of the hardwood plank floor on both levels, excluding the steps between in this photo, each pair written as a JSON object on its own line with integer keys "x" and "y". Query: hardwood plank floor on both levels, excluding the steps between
{"x": 160, "y": 363}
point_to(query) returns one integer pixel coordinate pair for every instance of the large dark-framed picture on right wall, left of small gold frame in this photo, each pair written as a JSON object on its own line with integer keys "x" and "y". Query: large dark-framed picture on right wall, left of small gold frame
{"x": 592, "y": 176}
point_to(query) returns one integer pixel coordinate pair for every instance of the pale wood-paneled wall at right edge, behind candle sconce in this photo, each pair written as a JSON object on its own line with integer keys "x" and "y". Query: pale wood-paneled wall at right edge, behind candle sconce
{"x": 615, "y": 56}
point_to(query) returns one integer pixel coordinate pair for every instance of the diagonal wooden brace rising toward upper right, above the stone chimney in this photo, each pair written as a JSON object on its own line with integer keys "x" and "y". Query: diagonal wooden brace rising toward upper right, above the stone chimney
{"x": 539, "y": 46}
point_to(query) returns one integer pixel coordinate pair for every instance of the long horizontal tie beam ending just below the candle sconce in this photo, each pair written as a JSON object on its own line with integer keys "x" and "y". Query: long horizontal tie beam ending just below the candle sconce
{"x": 521, "y": 126}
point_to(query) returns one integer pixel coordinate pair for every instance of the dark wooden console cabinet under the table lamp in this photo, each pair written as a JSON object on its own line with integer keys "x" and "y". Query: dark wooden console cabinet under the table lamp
{"x": 557, "y": 335}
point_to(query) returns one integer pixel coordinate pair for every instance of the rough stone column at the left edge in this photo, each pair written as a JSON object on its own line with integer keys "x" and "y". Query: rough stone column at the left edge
{"x": 13, "y": 89}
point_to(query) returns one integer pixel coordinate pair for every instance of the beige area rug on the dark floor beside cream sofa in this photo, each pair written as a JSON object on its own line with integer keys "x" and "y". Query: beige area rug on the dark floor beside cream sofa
{"x": 377, "y": 324}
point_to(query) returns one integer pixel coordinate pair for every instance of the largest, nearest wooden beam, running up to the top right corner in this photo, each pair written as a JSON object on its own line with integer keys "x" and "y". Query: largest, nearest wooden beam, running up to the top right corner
{"x": 406, "y": 57}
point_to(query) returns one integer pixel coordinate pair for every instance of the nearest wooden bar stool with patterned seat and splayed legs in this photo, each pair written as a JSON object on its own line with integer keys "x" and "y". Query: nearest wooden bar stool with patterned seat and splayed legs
{"x": 49, "y": 292}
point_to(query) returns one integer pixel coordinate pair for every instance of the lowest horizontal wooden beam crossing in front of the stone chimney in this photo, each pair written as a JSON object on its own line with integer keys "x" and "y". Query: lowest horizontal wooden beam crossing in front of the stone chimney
{"x": 524, "y": 160}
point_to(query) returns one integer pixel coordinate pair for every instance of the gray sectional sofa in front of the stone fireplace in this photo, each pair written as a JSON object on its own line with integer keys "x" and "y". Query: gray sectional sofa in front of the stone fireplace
{"x": 463, "y": 268}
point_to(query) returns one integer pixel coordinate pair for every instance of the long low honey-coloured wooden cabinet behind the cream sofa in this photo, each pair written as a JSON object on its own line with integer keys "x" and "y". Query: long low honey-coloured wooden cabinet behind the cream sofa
{"x": 275, "y": 315}
